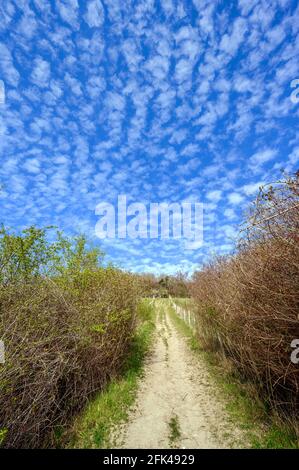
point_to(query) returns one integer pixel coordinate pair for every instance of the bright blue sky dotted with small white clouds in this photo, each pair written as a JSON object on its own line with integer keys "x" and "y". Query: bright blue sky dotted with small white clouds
{"x": 163, "y": 101}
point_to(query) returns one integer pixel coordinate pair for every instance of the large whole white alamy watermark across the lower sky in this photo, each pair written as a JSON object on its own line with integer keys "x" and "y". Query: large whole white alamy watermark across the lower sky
{"x": 154, "y": 220}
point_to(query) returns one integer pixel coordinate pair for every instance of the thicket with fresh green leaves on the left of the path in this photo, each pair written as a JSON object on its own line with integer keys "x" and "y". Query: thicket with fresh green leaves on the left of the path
{"x": 66, "y": 322}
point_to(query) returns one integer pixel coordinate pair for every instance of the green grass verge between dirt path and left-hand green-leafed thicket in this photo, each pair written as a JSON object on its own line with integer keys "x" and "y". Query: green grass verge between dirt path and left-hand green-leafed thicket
{"x": 94, "y": 427}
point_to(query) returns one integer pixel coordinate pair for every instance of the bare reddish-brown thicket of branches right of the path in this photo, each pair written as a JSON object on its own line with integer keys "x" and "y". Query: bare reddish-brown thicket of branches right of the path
{"x": 248, "y": 303}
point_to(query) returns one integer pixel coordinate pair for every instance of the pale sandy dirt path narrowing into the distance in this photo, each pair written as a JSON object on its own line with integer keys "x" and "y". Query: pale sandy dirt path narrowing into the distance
{"x": 176, "y": 404}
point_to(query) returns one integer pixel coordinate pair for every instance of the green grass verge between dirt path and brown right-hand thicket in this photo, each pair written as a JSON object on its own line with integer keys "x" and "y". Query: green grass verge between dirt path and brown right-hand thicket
{"x": 262, "y": 428}
